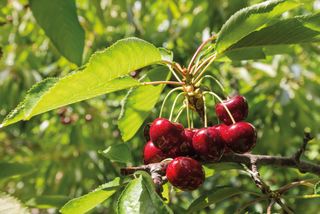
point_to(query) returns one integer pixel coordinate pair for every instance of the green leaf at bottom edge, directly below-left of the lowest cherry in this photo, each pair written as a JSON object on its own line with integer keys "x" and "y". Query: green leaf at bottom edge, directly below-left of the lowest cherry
{"x": 140, "y": 197}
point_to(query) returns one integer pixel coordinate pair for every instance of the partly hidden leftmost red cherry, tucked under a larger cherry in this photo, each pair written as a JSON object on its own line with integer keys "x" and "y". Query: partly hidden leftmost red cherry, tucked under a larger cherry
{"x": 152, "y": 154}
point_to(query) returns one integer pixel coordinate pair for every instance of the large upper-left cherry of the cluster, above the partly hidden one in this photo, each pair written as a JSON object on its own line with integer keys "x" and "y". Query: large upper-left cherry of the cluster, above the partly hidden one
{"x": 164, "y": 134}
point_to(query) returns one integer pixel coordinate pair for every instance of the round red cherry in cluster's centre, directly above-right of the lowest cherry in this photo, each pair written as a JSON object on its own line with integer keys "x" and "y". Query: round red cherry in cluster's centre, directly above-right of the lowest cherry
{"x": 208, "y": 144}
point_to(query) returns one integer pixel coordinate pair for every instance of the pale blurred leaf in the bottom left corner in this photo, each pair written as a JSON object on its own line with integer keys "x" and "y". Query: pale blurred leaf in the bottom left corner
{"x": 9, "y": 204}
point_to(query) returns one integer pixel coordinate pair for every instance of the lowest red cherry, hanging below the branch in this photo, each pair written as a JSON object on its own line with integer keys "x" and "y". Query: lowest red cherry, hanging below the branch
{"x": 185, "y": 173}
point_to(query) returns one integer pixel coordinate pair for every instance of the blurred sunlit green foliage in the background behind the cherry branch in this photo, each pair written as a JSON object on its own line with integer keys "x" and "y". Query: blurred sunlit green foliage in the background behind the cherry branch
{"x": 59, "y": 150}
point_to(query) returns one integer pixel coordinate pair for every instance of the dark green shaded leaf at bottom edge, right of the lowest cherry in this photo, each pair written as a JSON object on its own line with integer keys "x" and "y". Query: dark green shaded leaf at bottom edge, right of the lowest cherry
{"x": 213, "y": 197}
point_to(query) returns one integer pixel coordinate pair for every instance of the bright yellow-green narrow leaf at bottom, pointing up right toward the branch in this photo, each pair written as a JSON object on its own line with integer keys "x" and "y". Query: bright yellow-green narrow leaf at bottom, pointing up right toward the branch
{"x": 87, "y": 202}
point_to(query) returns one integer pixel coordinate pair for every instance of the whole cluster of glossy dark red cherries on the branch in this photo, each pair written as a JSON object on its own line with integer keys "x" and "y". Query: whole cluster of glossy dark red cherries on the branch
{"x": 188, "y": 146}
